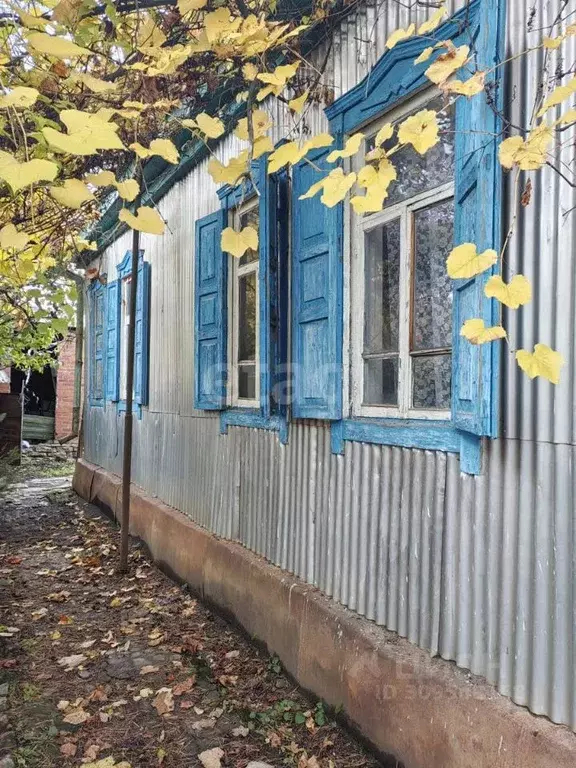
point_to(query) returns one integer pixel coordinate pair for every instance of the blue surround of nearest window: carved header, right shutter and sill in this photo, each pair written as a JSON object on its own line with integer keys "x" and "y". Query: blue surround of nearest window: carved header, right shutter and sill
{"x": 394, "y": 79}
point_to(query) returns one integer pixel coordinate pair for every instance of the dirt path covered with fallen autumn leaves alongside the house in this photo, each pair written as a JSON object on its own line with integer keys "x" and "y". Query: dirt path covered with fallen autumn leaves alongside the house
{"x": 107, "y": 670}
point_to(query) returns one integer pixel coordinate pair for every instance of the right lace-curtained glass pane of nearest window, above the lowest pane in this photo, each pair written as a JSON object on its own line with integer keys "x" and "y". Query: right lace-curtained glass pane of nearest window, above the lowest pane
{"x": 432, "y": 288}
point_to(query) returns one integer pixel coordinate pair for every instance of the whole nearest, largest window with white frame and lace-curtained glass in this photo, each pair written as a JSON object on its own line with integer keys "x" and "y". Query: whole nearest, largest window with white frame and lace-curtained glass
{"x": 401, "y": 296}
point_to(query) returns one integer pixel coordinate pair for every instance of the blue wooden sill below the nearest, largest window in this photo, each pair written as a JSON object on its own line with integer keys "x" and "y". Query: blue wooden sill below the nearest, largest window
{"x": 426, "y": 435}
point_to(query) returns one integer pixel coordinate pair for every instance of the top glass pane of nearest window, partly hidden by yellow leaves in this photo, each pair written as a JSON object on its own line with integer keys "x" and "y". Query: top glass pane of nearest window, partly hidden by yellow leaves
{"x": 418, "y": 173}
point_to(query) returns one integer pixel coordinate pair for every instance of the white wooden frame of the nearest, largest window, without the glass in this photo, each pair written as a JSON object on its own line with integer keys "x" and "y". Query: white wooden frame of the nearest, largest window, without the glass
{"x": 357, "y": 226}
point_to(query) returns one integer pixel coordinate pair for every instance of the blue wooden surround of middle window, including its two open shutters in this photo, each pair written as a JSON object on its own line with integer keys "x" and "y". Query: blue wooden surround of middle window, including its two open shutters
{"x": 272, "y": 280}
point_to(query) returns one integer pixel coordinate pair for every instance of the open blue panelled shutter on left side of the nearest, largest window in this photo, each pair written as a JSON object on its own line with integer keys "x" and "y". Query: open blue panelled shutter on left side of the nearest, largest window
{"x": 316, "y": 298}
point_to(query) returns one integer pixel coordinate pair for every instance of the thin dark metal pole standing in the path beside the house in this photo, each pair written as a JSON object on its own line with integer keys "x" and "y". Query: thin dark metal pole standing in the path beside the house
{"x": 127, "y": 458}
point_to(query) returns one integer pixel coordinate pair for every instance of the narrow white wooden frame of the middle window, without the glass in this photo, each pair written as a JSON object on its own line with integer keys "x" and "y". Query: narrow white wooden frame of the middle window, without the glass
{"x": 235, "y": 272}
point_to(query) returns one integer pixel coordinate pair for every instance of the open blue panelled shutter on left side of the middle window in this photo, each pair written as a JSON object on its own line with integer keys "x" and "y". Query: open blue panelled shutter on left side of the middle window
{"x": 210, "y": 326}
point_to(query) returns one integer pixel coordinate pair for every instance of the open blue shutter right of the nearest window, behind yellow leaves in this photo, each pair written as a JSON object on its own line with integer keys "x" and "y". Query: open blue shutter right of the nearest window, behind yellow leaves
{"x": 478, "y": 201}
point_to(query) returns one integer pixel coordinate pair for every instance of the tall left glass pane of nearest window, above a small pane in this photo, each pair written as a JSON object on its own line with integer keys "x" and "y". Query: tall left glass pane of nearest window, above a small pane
{"x": 381, "y": 288}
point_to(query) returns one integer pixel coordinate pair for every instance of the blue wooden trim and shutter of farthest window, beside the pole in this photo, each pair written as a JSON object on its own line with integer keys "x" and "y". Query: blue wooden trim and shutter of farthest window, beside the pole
{"x": 142, "y": 340}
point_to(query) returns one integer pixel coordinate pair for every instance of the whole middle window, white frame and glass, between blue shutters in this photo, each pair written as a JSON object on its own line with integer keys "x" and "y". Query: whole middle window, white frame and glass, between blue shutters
{"x": 244, "y": 384}
